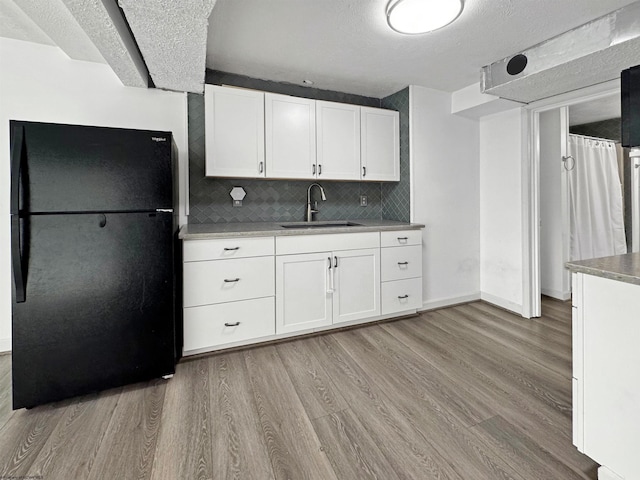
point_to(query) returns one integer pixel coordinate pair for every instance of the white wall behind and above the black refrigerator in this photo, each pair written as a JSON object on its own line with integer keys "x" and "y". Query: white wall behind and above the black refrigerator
{"x": 40, "y": 83}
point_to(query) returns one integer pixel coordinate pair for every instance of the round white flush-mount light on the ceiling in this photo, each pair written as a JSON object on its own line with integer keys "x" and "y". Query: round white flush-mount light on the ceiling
{"x": 413, "y": 17}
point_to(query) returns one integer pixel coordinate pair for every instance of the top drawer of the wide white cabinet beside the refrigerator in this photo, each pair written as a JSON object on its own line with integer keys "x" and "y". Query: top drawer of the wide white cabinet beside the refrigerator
{"x": 224, "y": 248}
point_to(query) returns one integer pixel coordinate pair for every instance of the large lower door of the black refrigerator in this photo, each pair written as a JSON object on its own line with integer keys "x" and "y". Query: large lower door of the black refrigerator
{"x": 98, "y": 309}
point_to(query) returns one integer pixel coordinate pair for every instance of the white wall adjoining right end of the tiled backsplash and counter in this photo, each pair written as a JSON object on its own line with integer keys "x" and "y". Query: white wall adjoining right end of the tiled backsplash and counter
{"x": 445, "y": 197}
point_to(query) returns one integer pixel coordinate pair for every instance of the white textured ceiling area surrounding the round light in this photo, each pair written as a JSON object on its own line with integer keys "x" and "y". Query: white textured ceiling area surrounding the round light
{"x": 346, "y": 45}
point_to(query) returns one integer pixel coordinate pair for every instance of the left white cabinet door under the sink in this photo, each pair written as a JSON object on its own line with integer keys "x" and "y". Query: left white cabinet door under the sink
{"x": 303, "y": 292}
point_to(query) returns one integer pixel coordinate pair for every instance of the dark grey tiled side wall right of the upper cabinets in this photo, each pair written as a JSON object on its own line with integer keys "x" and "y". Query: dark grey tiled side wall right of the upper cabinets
{"x": 396, "y": 196}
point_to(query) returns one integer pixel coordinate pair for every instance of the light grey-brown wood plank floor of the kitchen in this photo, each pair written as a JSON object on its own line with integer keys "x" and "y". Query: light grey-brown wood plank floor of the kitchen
{"x": 470, "y": 393}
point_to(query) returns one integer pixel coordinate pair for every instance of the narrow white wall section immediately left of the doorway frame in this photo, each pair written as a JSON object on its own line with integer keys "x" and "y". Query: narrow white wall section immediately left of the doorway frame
{"x": 501, "y": 205}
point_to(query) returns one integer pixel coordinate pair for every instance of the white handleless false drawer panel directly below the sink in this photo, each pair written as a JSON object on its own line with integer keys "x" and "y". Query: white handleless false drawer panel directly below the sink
{"x": 294, "y": 244}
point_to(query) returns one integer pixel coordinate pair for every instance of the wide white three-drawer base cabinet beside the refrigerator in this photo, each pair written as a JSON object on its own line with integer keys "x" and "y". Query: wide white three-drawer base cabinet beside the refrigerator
{"x": 228, "y": 292}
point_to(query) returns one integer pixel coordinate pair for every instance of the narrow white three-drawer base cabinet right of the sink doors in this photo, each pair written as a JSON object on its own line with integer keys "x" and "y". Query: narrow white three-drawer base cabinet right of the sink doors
{"x": 401, "y": 272}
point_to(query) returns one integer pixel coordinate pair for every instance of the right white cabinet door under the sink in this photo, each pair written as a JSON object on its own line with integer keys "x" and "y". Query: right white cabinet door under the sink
{"x": 357, "y": 284}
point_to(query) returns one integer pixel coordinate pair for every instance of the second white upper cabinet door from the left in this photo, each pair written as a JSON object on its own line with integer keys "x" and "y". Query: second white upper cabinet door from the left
{"x": 290, "y": 142}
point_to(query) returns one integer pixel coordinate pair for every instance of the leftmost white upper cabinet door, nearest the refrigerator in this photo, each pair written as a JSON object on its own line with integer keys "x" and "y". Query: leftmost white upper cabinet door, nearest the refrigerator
{"x": 234, "y": 132}
